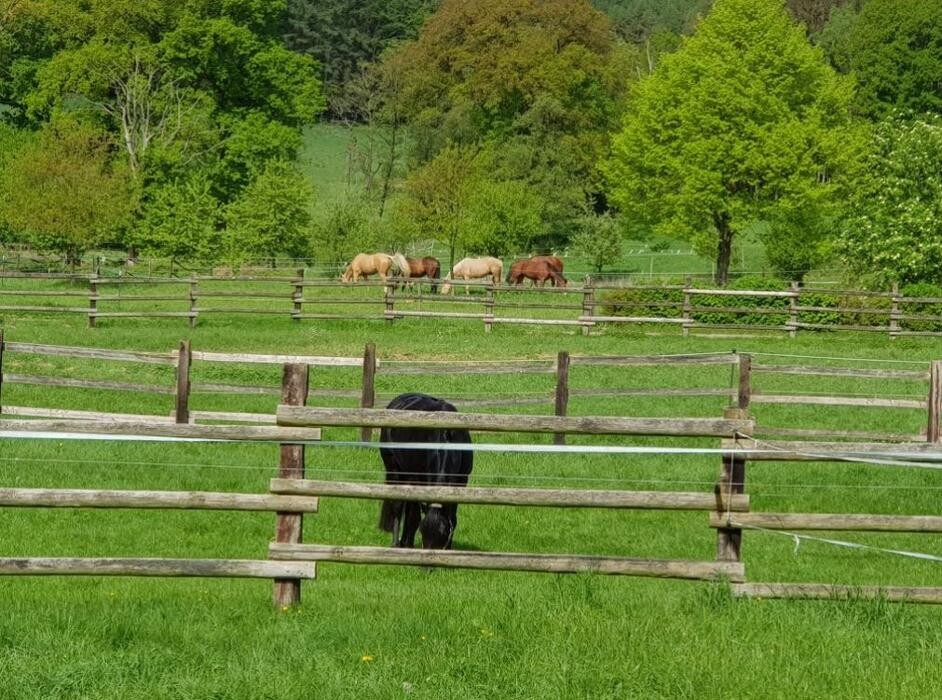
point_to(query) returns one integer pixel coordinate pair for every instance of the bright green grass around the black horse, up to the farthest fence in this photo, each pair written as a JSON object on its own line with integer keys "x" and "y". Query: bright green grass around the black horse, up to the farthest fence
{"x": 390, "y": 632}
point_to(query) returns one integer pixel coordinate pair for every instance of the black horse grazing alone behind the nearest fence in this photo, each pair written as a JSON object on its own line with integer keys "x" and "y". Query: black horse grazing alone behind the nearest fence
{"x": 436, "y": 521}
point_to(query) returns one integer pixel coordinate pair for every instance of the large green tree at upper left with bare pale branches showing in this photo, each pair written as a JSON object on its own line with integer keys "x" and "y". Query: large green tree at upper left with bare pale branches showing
{"x": 200, "y": 94}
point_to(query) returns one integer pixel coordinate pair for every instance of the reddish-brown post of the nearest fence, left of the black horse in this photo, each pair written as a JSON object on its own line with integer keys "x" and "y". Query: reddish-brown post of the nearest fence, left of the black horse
{"x": 288, "y": 526}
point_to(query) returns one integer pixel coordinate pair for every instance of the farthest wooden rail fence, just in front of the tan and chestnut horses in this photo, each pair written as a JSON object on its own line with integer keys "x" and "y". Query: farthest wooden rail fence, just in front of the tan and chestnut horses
{"x": 683, "y": 306}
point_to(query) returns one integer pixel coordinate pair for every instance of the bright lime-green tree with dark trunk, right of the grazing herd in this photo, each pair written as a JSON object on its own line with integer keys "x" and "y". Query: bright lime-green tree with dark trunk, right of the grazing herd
{"x": 744, "y": 118}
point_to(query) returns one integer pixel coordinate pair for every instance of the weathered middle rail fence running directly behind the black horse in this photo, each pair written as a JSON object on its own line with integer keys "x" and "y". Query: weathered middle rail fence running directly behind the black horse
{"x": 567, "y": 384}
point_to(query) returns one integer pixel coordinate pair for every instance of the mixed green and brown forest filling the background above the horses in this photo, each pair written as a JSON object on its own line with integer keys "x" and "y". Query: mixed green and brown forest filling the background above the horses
{"x": 173, "y": 128}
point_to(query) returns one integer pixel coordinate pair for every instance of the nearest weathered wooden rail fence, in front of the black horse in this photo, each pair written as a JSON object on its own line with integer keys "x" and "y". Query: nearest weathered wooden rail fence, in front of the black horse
{"x": 292, "y": 494}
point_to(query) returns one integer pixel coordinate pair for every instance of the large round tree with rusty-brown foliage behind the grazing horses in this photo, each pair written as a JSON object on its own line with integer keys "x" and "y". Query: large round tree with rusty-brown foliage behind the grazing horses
{"x": 540, "y": 81}
